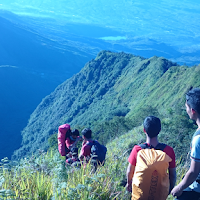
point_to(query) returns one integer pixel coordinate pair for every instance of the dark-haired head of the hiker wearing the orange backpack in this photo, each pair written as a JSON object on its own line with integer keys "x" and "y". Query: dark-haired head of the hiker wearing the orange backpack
{"x": 152, "y": 126}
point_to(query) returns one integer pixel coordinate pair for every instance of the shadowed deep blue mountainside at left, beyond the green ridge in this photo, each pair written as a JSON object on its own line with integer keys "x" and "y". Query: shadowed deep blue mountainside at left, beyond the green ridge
{"x": 31, "y": 66}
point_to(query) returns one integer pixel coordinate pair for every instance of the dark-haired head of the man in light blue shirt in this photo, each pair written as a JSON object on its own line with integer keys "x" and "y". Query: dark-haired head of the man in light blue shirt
{"x": 193, "y": 99}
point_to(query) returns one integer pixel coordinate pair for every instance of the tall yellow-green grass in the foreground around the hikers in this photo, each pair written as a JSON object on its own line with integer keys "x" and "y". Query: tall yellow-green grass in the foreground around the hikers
{"x": 46, "y": 178}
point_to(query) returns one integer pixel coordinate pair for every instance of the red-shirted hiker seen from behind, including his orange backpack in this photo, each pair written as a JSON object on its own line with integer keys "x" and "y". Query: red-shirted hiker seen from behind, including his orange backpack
{"x": 147, "y": 175}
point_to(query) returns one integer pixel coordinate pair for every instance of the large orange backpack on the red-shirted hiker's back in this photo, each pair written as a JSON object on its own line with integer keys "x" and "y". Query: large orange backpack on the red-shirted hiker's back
{"x": 151, "y": 180}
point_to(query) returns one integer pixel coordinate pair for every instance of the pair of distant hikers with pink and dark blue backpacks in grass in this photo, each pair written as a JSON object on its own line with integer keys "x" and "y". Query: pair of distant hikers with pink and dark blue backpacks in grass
{"x": 91, "y": 151}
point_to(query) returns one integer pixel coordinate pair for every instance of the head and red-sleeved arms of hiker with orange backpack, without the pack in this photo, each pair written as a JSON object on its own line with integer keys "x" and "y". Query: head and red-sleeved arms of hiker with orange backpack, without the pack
{"x": 152, "y": 127}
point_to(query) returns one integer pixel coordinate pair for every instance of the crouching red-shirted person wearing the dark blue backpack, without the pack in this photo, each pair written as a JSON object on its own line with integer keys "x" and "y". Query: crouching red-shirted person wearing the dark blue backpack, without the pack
{"x": 86, "y": 148}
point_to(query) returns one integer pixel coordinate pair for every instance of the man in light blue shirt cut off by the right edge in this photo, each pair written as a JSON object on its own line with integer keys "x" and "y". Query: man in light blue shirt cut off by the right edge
{"x": 189, "y": 187}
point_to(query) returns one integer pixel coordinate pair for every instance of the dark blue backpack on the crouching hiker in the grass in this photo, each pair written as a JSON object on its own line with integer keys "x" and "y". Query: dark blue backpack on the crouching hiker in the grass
{"x": 98, "y": 152}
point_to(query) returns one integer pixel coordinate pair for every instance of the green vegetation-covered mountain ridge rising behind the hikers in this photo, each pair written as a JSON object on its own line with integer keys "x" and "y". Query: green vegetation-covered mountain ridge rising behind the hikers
{"x": 112, "y": 94}
